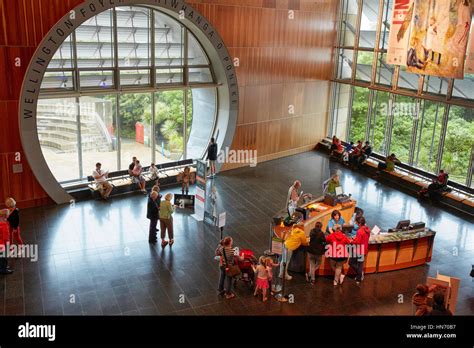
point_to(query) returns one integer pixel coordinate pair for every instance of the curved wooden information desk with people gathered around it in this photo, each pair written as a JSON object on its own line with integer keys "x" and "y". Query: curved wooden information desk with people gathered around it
{"x": 387, "y": 251}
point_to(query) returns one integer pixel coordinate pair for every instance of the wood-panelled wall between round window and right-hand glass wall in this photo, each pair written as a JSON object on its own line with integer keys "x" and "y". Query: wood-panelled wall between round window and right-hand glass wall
{"x": 284, "y": 69}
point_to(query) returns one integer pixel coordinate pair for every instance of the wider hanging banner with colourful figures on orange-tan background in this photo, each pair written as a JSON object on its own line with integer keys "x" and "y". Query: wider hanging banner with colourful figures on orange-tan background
{"x": 438, "y": 37}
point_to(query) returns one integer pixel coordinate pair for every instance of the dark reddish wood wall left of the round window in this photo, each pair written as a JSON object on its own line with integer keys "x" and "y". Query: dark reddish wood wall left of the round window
{"x": 23, "y": 25}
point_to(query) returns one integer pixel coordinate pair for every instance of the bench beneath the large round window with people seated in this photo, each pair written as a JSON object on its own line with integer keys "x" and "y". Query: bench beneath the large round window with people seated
{"x": 168, "y": 174}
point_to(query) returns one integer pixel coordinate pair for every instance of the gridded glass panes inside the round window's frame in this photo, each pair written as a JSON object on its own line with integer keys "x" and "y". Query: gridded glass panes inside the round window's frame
{"x": 114, "y": 91}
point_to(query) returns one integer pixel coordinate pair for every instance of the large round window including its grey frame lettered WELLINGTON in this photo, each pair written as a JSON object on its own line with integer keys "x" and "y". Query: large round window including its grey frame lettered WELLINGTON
{"x": 139, "y": 80}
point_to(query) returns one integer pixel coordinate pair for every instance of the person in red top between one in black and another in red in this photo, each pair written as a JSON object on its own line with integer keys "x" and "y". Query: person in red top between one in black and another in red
{"x": 336, "y": 252}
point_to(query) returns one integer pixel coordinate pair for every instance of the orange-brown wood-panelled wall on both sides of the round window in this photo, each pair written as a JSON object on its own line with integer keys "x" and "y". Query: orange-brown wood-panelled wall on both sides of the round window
{"x": 283, "y": 62}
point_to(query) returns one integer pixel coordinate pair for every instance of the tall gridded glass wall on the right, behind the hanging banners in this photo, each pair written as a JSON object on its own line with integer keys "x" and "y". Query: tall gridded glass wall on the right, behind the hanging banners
{"x": 426, "y": 121}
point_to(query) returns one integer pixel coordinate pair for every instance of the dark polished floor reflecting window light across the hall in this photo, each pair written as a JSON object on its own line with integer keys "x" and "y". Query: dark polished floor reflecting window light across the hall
{"x": 94, "y": 258}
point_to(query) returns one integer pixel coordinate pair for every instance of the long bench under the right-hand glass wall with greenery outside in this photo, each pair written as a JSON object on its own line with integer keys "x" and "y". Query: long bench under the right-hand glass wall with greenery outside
{"x": 412, "y": 180}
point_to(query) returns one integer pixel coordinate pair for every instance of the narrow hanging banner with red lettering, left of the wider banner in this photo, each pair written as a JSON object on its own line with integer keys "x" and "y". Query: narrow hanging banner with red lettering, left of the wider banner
{"x": 399, "y": 32}
